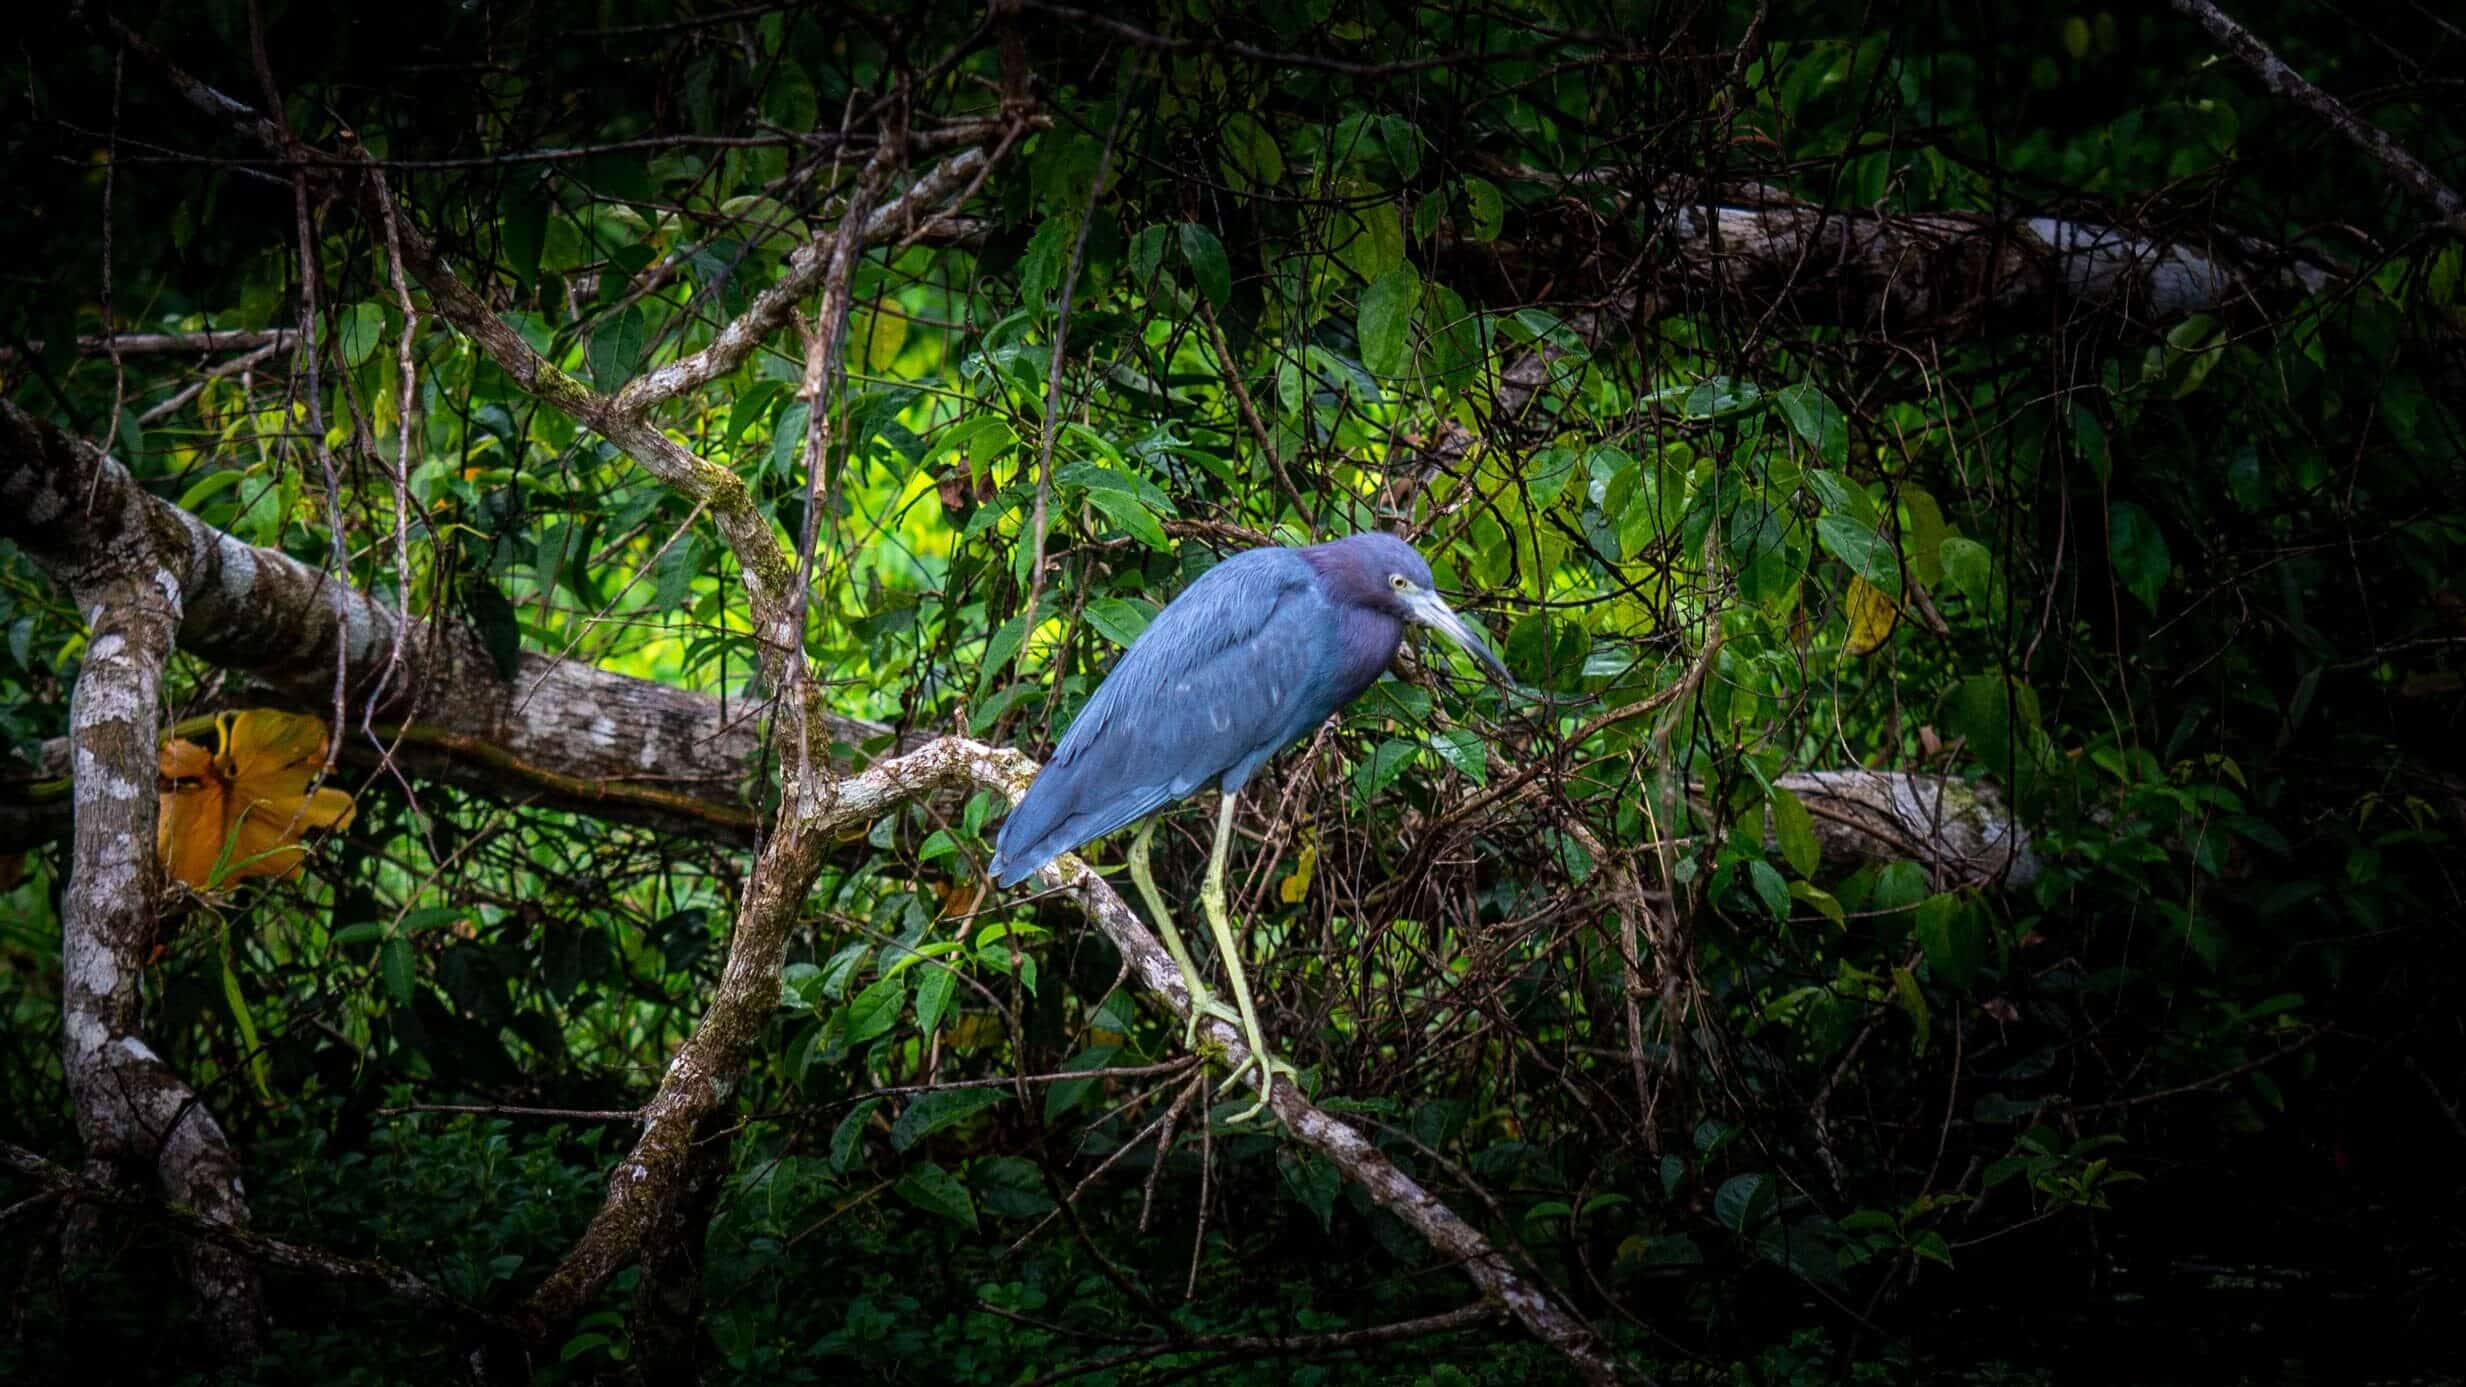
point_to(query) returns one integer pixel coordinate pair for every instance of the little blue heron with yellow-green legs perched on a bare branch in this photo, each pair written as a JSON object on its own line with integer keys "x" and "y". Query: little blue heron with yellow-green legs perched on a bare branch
{"x": 1239, "y": 668}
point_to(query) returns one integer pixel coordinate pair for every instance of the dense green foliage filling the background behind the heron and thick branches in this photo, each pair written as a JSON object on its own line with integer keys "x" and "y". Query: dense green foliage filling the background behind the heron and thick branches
{"x": 2176, "y": 591}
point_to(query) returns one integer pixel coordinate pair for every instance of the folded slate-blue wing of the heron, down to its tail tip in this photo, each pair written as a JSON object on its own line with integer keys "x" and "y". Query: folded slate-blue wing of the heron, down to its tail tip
{"x": 1219, "y": 682}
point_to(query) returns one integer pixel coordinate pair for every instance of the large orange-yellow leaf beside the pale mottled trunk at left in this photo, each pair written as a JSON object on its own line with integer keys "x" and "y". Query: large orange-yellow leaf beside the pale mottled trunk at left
{"x": 243, "y": 808}
